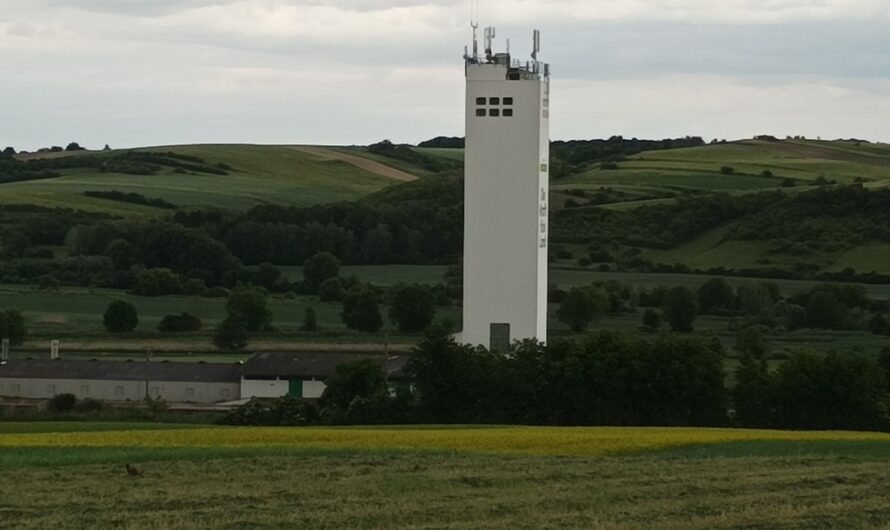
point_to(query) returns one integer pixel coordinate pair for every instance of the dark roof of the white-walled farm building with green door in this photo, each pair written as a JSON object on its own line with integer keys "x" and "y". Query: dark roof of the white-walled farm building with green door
{"x": 321, "y": 365}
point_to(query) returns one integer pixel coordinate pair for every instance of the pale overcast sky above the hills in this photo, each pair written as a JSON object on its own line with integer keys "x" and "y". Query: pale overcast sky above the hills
{"x": 152, "y": 72}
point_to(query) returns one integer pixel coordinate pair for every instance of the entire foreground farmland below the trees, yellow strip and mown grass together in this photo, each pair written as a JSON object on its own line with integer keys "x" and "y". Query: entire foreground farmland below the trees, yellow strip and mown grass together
{"x": 603, "y": 478}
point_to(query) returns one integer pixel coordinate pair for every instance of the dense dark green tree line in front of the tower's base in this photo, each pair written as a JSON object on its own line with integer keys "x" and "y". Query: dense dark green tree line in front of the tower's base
{"x": 605, "y": 378}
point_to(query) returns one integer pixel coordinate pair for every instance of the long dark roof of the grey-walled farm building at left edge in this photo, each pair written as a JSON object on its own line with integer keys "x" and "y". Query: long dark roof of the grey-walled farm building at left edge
{"x": 120, "y": 370}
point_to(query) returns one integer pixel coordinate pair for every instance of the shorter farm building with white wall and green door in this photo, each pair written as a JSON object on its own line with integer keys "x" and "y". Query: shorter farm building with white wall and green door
{"x": 303, "y": 374}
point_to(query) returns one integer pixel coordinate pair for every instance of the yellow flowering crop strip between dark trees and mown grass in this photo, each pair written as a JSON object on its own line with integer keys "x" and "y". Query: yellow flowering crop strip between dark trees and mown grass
{"x": 543, "y": 441}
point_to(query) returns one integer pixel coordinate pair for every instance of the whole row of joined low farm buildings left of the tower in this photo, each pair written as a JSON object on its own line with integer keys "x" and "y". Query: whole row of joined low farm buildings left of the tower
{"x": 263, "y": 375}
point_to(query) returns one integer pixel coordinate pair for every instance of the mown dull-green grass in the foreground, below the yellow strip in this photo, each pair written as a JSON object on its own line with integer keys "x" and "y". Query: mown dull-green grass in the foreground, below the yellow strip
{"x": 460, "y": 492}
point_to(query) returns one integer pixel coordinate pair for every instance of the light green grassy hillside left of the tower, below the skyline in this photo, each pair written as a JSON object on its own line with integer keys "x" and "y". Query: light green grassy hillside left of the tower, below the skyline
{"x": 259, "y": 175}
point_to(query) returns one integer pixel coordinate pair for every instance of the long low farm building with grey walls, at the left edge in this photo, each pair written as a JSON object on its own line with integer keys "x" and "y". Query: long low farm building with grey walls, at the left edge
{"x": 120, "y": 380}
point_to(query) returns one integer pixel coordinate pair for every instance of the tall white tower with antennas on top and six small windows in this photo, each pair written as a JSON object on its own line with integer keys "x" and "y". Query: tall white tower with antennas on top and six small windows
{"x": 506, "y": 197}
